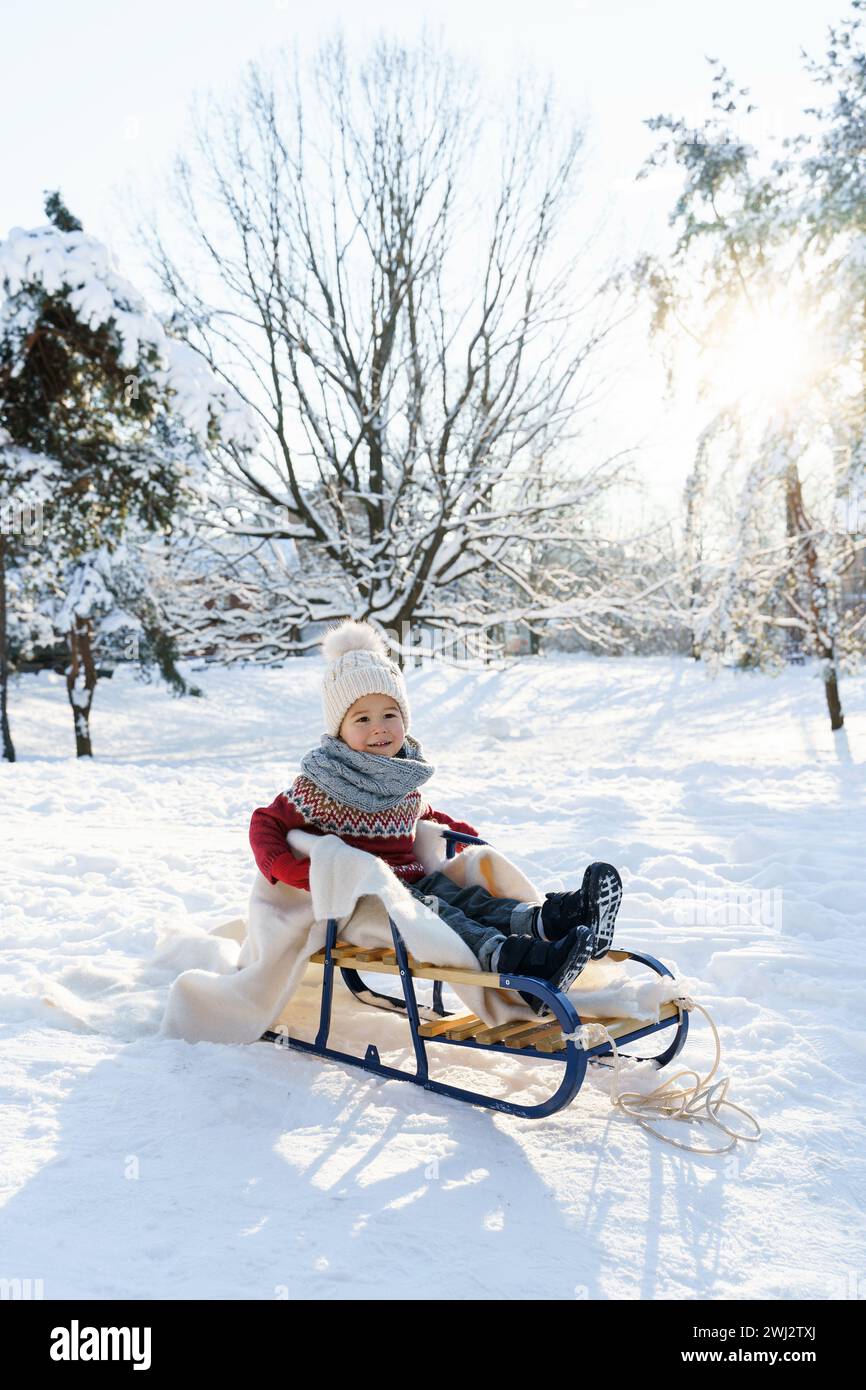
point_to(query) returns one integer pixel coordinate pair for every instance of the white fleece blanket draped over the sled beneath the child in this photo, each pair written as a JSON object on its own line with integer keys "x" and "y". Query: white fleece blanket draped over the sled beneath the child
{"x": 261, "y": 963}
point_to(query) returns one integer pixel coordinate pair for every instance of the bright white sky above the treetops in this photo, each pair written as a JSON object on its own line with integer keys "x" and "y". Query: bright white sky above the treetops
{"x": 94, "y": 101}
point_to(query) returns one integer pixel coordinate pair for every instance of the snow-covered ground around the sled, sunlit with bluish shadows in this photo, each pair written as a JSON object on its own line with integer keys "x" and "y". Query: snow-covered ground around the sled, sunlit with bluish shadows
{"x": 142, "y": 1167}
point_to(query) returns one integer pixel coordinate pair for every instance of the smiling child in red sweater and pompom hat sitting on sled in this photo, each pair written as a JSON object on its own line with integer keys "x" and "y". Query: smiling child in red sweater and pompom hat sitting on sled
{"x": 363, "y": 785}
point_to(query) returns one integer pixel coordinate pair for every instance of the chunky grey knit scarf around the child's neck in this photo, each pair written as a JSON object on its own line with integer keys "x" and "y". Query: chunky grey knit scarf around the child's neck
{"x": 368, "y": 782}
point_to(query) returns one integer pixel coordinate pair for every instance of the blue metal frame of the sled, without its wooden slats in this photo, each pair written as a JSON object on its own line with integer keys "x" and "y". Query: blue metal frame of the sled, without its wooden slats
{"x": 572, "y": 1056}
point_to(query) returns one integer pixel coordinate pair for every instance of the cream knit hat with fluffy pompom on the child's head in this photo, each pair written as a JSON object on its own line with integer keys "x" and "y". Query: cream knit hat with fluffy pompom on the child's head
{"x": 358, "y": 665}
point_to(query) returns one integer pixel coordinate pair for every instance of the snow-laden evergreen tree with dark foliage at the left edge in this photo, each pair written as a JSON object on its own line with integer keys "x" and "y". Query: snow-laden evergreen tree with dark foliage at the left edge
{"x": 92, "y": 384}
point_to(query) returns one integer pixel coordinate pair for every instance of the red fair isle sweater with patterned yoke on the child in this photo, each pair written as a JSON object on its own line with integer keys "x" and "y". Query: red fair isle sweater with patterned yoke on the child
{"x": 305, "y": 807}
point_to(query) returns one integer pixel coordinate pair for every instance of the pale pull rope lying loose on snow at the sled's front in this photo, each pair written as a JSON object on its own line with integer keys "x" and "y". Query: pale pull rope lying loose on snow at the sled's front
{"x": 700, "y": 1102}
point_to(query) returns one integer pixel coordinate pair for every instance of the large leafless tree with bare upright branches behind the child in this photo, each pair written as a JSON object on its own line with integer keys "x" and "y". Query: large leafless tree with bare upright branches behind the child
{"x": 387, "y": 288}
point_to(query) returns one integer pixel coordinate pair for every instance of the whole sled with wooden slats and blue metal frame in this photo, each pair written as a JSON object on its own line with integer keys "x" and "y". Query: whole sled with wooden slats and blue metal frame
{"x": 558, "y": 1038}
